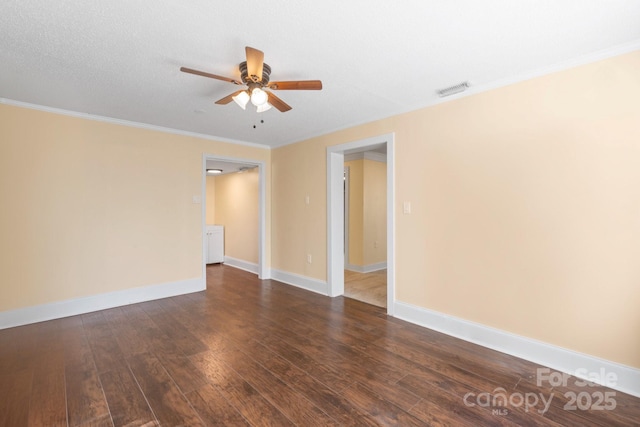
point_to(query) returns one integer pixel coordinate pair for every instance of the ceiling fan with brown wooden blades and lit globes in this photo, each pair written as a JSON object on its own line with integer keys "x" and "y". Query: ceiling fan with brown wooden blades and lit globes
{"x": 255, "y": 75}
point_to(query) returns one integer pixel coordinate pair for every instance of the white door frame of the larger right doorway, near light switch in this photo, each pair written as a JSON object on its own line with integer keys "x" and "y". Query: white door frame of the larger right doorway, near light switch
{"x": 335, "y": 214}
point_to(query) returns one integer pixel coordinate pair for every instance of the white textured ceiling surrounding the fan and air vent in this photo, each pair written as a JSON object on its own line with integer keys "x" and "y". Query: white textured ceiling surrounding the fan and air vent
{"x": 120, "y": 59}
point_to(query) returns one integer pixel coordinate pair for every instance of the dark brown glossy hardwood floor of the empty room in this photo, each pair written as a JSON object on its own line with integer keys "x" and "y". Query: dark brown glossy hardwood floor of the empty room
{"x": 261, "y": 353}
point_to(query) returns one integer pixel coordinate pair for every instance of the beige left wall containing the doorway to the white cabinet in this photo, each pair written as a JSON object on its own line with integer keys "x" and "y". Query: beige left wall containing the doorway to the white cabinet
{"x": 90, "y": 207}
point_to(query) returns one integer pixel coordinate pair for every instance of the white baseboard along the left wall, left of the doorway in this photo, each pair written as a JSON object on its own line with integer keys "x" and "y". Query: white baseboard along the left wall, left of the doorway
{"x": 57, "y": 310}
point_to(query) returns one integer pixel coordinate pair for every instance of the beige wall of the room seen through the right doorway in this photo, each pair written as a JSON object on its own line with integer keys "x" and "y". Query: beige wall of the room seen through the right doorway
{"x": 367, "y": 212}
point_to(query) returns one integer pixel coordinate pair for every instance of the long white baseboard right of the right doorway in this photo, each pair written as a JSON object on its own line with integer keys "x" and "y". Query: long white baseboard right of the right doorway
{"x": 554, "y": 357}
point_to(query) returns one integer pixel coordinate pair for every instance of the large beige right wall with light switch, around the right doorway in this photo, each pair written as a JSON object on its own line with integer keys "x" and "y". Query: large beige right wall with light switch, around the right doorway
{"x": 525, "y": 207}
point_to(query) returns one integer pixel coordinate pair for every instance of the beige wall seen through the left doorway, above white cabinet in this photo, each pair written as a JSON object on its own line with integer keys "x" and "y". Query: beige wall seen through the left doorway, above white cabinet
{"x": 237, "y": 209}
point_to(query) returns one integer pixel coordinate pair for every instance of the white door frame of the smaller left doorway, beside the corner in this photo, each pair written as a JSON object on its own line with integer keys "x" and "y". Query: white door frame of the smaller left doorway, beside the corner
{"x": 263, "y": 271}
